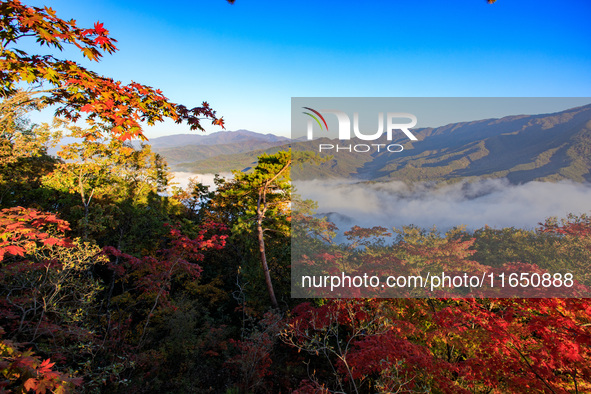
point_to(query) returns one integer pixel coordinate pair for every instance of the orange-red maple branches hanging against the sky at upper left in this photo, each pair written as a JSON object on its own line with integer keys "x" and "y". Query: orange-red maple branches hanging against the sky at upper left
{"x": 74, "y": 89}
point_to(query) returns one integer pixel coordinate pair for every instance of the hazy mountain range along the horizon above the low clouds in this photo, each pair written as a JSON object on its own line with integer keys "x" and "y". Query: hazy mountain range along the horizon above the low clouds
{"x": 522, "y": 148}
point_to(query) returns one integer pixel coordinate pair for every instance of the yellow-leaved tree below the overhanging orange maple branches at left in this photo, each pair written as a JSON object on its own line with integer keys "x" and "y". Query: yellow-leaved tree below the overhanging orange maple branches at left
{"x": 102, "y": 184}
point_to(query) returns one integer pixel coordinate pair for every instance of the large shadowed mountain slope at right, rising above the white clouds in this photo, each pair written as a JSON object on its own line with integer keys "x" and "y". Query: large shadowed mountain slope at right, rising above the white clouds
{"x": 521, "y": 148}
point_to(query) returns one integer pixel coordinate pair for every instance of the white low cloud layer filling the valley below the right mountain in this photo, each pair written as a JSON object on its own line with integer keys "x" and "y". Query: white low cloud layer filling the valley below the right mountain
{"x": 492, "y": 202}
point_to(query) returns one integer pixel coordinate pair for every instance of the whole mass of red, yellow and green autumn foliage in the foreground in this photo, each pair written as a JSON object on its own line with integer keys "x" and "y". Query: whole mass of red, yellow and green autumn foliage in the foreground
{"x": 112, "y": 279}
